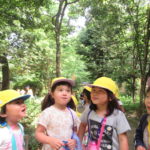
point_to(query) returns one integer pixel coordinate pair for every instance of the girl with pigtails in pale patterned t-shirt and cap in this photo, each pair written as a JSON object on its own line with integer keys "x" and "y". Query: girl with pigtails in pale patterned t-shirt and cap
{"x": 57, "y": 121}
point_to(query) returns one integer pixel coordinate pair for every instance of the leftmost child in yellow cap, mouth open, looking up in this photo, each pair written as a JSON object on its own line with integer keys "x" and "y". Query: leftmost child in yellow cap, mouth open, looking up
{"x": 12, "y": 109}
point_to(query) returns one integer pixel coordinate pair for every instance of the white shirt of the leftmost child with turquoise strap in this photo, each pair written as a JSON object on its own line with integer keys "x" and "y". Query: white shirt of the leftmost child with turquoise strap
{"x": 6, "y": 137}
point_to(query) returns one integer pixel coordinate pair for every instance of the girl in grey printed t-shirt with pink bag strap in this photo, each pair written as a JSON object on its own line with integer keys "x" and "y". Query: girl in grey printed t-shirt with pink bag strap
{"x": 107, "y": 125}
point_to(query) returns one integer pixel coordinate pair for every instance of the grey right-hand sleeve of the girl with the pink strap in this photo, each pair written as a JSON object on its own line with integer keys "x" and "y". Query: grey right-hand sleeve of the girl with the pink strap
{"x": 122, "y": 124}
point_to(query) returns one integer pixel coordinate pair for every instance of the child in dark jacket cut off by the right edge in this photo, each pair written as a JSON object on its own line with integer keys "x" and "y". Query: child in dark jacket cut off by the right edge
{"x": 142, "y": 136}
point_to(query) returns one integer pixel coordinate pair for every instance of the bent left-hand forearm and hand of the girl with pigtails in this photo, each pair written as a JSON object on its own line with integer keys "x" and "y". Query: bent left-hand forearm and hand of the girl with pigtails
{"x": 43, "y": 138}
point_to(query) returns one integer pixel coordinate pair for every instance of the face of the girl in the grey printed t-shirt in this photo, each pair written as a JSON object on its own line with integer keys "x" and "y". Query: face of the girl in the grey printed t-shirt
{"x": 99, "y": 96}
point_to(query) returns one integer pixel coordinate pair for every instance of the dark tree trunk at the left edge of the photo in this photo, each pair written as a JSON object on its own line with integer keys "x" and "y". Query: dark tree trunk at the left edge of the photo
{"x": 5, "y": 73}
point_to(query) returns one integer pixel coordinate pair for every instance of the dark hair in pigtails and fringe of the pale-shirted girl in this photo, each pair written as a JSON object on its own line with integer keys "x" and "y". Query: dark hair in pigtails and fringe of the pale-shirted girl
{"x": 48, "y": 100}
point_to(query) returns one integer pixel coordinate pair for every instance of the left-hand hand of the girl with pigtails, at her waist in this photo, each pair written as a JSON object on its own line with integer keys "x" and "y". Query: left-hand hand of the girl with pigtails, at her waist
{"x": 56, "y": 144}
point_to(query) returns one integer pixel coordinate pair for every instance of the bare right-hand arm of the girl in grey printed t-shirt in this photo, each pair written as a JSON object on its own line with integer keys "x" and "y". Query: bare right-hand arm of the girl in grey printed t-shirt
{"x": 123, "y": 141}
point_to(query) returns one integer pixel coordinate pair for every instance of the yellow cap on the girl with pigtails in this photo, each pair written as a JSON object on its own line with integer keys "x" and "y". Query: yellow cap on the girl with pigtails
{"x": 61, "y": 79}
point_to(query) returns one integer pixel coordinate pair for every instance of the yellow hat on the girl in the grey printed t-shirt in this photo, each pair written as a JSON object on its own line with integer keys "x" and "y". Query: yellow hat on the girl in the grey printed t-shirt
{"x": 106, "y": 83}
